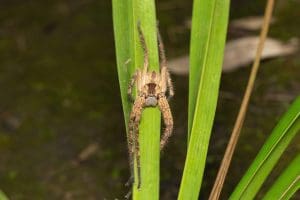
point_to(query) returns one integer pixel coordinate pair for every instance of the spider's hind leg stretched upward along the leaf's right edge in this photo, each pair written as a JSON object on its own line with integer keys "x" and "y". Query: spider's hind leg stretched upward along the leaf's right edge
{"x": 163, "y": 64}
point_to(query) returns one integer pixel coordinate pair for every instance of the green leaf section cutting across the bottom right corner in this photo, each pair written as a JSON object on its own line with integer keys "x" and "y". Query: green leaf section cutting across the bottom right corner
{"x": 288, "y": 182}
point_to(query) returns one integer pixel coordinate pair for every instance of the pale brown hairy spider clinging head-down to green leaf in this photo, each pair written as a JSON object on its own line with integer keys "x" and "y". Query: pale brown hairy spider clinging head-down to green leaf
{"x": 154, "y": 89}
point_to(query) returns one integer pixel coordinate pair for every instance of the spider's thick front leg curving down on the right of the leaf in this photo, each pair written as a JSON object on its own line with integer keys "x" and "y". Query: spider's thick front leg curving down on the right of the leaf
{"x": 168, "y": 119}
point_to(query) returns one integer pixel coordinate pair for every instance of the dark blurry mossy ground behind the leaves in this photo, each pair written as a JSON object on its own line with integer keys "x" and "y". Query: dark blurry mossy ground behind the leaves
{"x": 59, "y": 94}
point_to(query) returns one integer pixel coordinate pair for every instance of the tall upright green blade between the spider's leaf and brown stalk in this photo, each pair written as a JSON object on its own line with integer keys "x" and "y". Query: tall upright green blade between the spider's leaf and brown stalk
{"x": 209, "y": 25}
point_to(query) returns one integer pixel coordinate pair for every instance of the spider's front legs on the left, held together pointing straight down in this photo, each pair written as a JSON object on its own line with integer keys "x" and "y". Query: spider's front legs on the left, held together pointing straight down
{"x": 134, "y": 147}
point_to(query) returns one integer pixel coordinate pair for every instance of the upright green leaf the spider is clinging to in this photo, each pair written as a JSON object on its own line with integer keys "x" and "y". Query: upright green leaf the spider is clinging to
{"x": 126, "y": 15}
